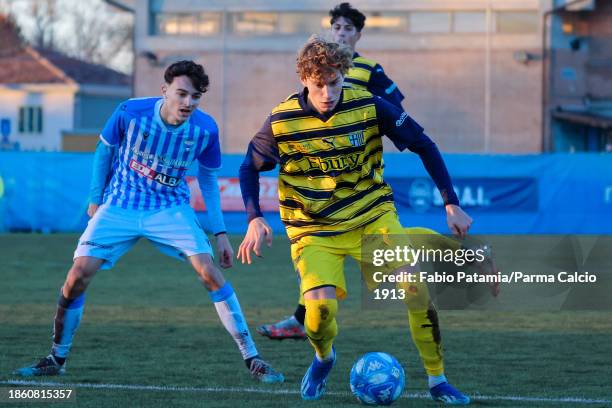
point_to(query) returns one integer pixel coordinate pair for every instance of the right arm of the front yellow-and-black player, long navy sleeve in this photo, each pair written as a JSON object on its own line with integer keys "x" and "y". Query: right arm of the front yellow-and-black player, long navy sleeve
{"x": 408, "y": 134}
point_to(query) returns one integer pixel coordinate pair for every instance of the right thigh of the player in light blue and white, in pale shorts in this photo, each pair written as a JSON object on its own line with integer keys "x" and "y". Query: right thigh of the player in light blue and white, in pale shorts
{"x": 177, "y": 232}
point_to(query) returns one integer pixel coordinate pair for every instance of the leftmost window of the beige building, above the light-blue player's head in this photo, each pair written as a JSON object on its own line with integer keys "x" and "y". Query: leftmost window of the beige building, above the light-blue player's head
{"x": 198, "y": 24}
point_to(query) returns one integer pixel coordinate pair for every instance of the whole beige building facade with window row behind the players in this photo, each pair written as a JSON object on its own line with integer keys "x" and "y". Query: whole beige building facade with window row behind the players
{"x": 470, "y": 69}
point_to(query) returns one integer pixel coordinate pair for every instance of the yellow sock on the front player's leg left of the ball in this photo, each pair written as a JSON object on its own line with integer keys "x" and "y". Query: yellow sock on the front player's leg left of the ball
{"x": 320, "y": 324}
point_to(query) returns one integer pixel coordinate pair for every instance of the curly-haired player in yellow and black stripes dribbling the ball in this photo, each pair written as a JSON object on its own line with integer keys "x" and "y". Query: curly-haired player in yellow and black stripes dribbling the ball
{"x": 327, "y": 141}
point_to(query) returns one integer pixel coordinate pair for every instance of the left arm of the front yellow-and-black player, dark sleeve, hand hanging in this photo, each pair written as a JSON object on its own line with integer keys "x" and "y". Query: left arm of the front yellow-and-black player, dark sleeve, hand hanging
{"x": 262, "y": 155}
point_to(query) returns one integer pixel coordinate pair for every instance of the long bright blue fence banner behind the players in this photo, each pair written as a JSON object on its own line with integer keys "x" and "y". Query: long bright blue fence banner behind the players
{"x": 551, "y": 193}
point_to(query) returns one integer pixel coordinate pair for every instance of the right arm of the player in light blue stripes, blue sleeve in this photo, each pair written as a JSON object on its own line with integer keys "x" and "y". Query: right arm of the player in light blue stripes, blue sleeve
{"x": 209, "y": 163}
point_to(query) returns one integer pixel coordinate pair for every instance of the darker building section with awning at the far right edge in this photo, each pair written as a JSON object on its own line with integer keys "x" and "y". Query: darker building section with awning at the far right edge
{"x": 577, "y": 101}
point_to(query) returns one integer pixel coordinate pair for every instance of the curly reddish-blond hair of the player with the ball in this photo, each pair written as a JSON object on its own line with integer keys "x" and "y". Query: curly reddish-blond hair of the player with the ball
{"x": 319, "y": 57}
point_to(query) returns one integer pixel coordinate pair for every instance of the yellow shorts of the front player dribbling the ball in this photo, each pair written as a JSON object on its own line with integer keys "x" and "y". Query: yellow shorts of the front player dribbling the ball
{"x": 319, "y": 261}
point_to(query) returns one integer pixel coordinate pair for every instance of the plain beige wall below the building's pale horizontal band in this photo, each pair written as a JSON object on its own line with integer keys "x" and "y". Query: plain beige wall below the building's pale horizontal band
{"x": 444, "y": 89}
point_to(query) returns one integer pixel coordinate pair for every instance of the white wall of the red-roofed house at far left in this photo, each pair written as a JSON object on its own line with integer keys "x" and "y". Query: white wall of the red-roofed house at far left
{"x": 57, "y": 103}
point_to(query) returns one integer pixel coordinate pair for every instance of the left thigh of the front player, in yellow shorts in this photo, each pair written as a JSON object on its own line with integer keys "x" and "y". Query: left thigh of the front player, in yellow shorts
{"x": 319, "y": 261}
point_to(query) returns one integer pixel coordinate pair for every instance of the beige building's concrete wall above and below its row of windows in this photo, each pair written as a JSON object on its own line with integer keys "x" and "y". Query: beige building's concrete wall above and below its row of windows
{"x": 468, "y": 100}
